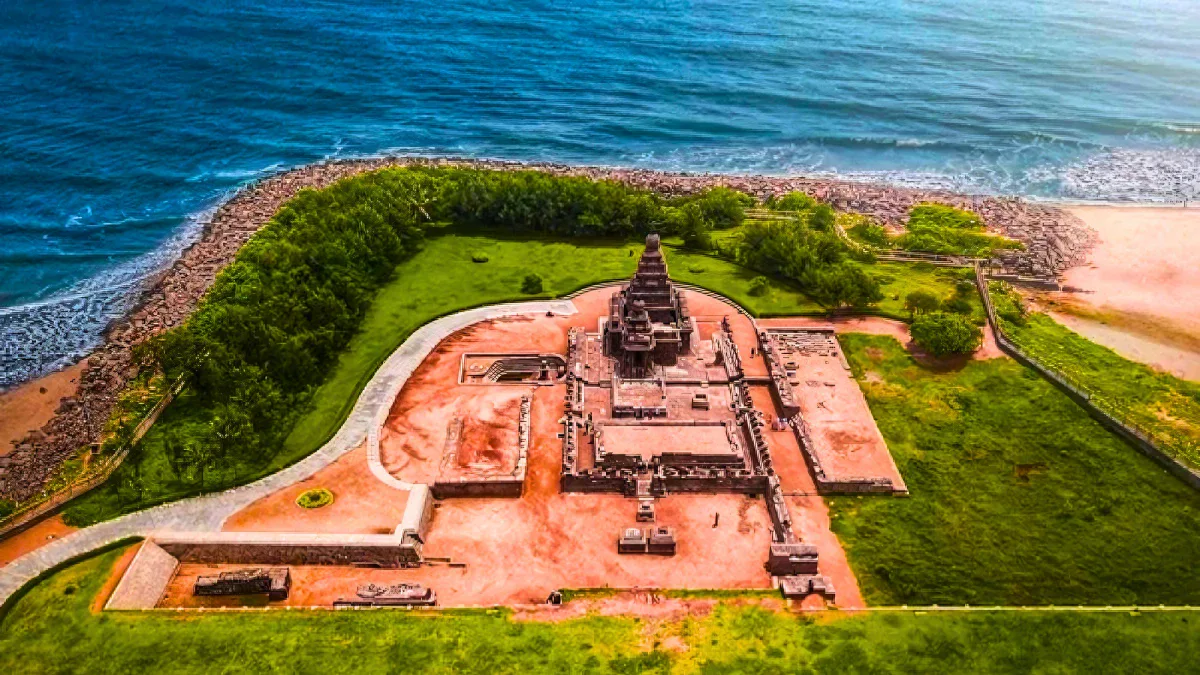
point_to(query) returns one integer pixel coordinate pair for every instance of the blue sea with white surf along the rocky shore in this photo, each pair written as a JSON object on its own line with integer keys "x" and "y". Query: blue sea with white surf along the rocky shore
{"x": 122, "y": 123}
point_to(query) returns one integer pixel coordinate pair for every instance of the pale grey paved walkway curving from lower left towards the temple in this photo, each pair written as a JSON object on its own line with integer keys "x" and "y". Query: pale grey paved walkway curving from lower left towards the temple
{"x": 209, "y": 512}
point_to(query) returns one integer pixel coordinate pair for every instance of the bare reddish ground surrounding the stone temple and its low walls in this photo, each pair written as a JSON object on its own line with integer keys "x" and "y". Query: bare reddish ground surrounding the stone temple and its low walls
{"x": 518, "y": 551}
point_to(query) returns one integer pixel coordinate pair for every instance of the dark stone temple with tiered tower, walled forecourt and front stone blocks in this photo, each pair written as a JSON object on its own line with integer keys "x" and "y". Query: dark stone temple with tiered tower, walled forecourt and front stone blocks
{"x": 652, "y": 411}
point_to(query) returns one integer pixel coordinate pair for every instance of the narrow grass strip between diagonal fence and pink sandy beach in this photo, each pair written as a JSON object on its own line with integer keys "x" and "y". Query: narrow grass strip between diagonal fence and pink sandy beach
{"x": 1166, "y": 408}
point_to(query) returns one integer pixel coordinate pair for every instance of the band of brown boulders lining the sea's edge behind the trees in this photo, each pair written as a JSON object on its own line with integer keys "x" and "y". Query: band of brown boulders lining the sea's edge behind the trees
{"x": 1055, "y": 241}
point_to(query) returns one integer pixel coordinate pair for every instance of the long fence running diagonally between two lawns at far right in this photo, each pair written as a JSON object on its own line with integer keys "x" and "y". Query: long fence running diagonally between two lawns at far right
{"x": 1135, "y": 434}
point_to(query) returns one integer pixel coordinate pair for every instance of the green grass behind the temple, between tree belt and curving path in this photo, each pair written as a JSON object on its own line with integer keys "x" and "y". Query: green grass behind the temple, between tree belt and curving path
{"x": 441, "y": 280}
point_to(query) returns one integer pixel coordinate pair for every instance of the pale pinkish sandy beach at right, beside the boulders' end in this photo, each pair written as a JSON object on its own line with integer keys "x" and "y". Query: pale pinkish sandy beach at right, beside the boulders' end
{"x": 1142, "y": 286}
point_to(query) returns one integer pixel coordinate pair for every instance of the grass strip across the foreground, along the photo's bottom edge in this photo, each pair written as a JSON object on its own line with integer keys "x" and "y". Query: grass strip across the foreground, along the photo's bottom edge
{"x": 53, "y": 630}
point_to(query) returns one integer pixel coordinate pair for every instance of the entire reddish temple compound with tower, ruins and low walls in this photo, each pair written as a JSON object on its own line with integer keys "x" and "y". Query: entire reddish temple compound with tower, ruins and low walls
{"x": 656, "y": 438}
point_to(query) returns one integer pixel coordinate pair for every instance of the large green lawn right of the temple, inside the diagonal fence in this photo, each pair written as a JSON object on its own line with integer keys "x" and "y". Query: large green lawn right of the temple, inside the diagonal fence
{"x": 1018, "y": 497}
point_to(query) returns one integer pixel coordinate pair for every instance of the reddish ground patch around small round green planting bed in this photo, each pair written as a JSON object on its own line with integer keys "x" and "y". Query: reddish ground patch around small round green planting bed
{"x": 363, "y": 505}
